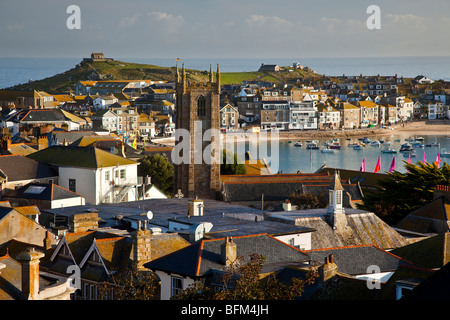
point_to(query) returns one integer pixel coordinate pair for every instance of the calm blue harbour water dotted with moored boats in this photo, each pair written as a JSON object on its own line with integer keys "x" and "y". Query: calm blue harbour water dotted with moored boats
{"x": 292, "y": 158}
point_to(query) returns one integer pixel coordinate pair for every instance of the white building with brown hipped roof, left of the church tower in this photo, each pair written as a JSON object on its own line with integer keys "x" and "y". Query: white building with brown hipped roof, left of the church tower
{"x": 99, "y": 176}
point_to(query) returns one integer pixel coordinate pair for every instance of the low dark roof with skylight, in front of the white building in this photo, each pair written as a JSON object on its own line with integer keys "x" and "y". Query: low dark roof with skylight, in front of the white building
{"x": 41, "y": 191}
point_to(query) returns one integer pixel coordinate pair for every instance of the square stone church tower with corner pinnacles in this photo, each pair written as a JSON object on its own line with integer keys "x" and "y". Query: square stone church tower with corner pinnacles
{"x": 197, "y": 110}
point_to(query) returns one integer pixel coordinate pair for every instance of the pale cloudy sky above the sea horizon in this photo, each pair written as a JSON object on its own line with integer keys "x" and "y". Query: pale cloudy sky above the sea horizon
{"x": 224, "y": 29}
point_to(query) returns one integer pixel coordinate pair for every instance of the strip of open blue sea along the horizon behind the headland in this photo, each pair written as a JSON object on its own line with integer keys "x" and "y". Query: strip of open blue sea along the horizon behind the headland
{"x": 19, "y": 70}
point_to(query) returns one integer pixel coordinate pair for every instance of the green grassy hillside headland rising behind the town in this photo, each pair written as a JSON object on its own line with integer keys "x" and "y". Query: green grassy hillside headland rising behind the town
{"x": 118, "y": 70}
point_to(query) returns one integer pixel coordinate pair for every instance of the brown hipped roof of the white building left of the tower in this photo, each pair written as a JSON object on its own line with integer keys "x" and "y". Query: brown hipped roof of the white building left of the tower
{"x": 85, "y": 157}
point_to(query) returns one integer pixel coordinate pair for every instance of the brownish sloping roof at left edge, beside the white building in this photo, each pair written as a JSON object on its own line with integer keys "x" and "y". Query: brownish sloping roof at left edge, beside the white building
{"x": 18, "y": 168}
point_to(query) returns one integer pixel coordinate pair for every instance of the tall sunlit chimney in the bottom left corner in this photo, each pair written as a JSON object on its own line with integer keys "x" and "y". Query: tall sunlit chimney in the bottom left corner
{"x": 29, "y": 260}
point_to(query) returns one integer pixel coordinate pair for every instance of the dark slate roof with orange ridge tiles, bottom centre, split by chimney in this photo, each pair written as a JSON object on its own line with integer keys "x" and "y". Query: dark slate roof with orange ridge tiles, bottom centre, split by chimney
{"x": 200, "y": 258}
